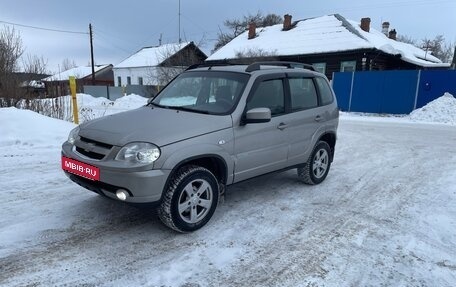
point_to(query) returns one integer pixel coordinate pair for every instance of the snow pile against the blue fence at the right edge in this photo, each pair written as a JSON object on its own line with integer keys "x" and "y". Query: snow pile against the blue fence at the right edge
{"x": 440, "y": 110}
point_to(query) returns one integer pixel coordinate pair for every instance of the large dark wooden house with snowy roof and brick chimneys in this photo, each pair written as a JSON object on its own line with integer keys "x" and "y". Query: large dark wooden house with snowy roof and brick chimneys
{"x": 330, "y": 43}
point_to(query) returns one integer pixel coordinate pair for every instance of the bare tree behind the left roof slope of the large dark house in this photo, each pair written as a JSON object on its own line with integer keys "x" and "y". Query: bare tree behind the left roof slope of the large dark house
{"x": 238, "y": 26}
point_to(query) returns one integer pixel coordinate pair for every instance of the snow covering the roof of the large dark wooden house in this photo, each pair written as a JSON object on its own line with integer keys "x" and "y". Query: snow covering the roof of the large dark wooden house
{"x": 325, "y": 34}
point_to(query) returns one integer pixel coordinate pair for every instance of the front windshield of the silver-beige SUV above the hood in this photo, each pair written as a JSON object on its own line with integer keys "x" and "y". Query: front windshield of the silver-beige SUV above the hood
{"x": 212, "y": 92}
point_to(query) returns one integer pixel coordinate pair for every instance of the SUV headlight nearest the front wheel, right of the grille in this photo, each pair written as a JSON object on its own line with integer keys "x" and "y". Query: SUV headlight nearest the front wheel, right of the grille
{"x": 139, "y": 153}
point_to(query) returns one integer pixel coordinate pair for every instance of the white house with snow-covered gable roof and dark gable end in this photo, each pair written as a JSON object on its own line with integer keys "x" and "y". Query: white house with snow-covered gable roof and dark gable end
{"x": 156, "y": 66}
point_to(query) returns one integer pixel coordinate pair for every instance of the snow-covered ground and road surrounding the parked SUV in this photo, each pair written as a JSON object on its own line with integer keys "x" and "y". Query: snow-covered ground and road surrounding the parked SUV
{"x": 385, "y": 216}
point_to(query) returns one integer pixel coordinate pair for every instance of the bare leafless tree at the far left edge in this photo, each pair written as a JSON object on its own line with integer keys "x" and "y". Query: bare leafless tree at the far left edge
{"x": 10, "y": 52}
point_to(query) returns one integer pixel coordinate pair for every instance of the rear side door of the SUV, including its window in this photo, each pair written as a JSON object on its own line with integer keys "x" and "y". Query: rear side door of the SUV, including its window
{"x": 306, "y": 120}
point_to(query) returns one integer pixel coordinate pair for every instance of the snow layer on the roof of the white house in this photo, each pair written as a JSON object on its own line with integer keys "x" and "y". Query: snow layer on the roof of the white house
{"x": 151, "y": 56}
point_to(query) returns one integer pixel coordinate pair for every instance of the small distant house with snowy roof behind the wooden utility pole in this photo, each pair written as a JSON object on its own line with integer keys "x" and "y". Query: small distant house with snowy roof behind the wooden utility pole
{"x": 58, "y": 84}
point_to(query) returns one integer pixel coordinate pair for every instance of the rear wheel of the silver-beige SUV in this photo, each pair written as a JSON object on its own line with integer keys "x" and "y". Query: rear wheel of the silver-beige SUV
{"x": 317, "y": 166}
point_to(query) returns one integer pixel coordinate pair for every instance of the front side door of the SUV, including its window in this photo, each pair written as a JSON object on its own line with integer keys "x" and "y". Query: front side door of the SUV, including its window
{"x": 262, "y": 147}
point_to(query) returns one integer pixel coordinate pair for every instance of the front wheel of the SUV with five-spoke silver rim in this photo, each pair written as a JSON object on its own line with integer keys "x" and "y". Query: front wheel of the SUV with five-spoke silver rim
{"x": 190, "y": 199}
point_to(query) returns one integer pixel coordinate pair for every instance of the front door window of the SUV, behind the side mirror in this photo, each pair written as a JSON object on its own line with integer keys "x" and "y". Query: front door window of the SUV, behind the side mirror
{"x": 268, "y": 94}
